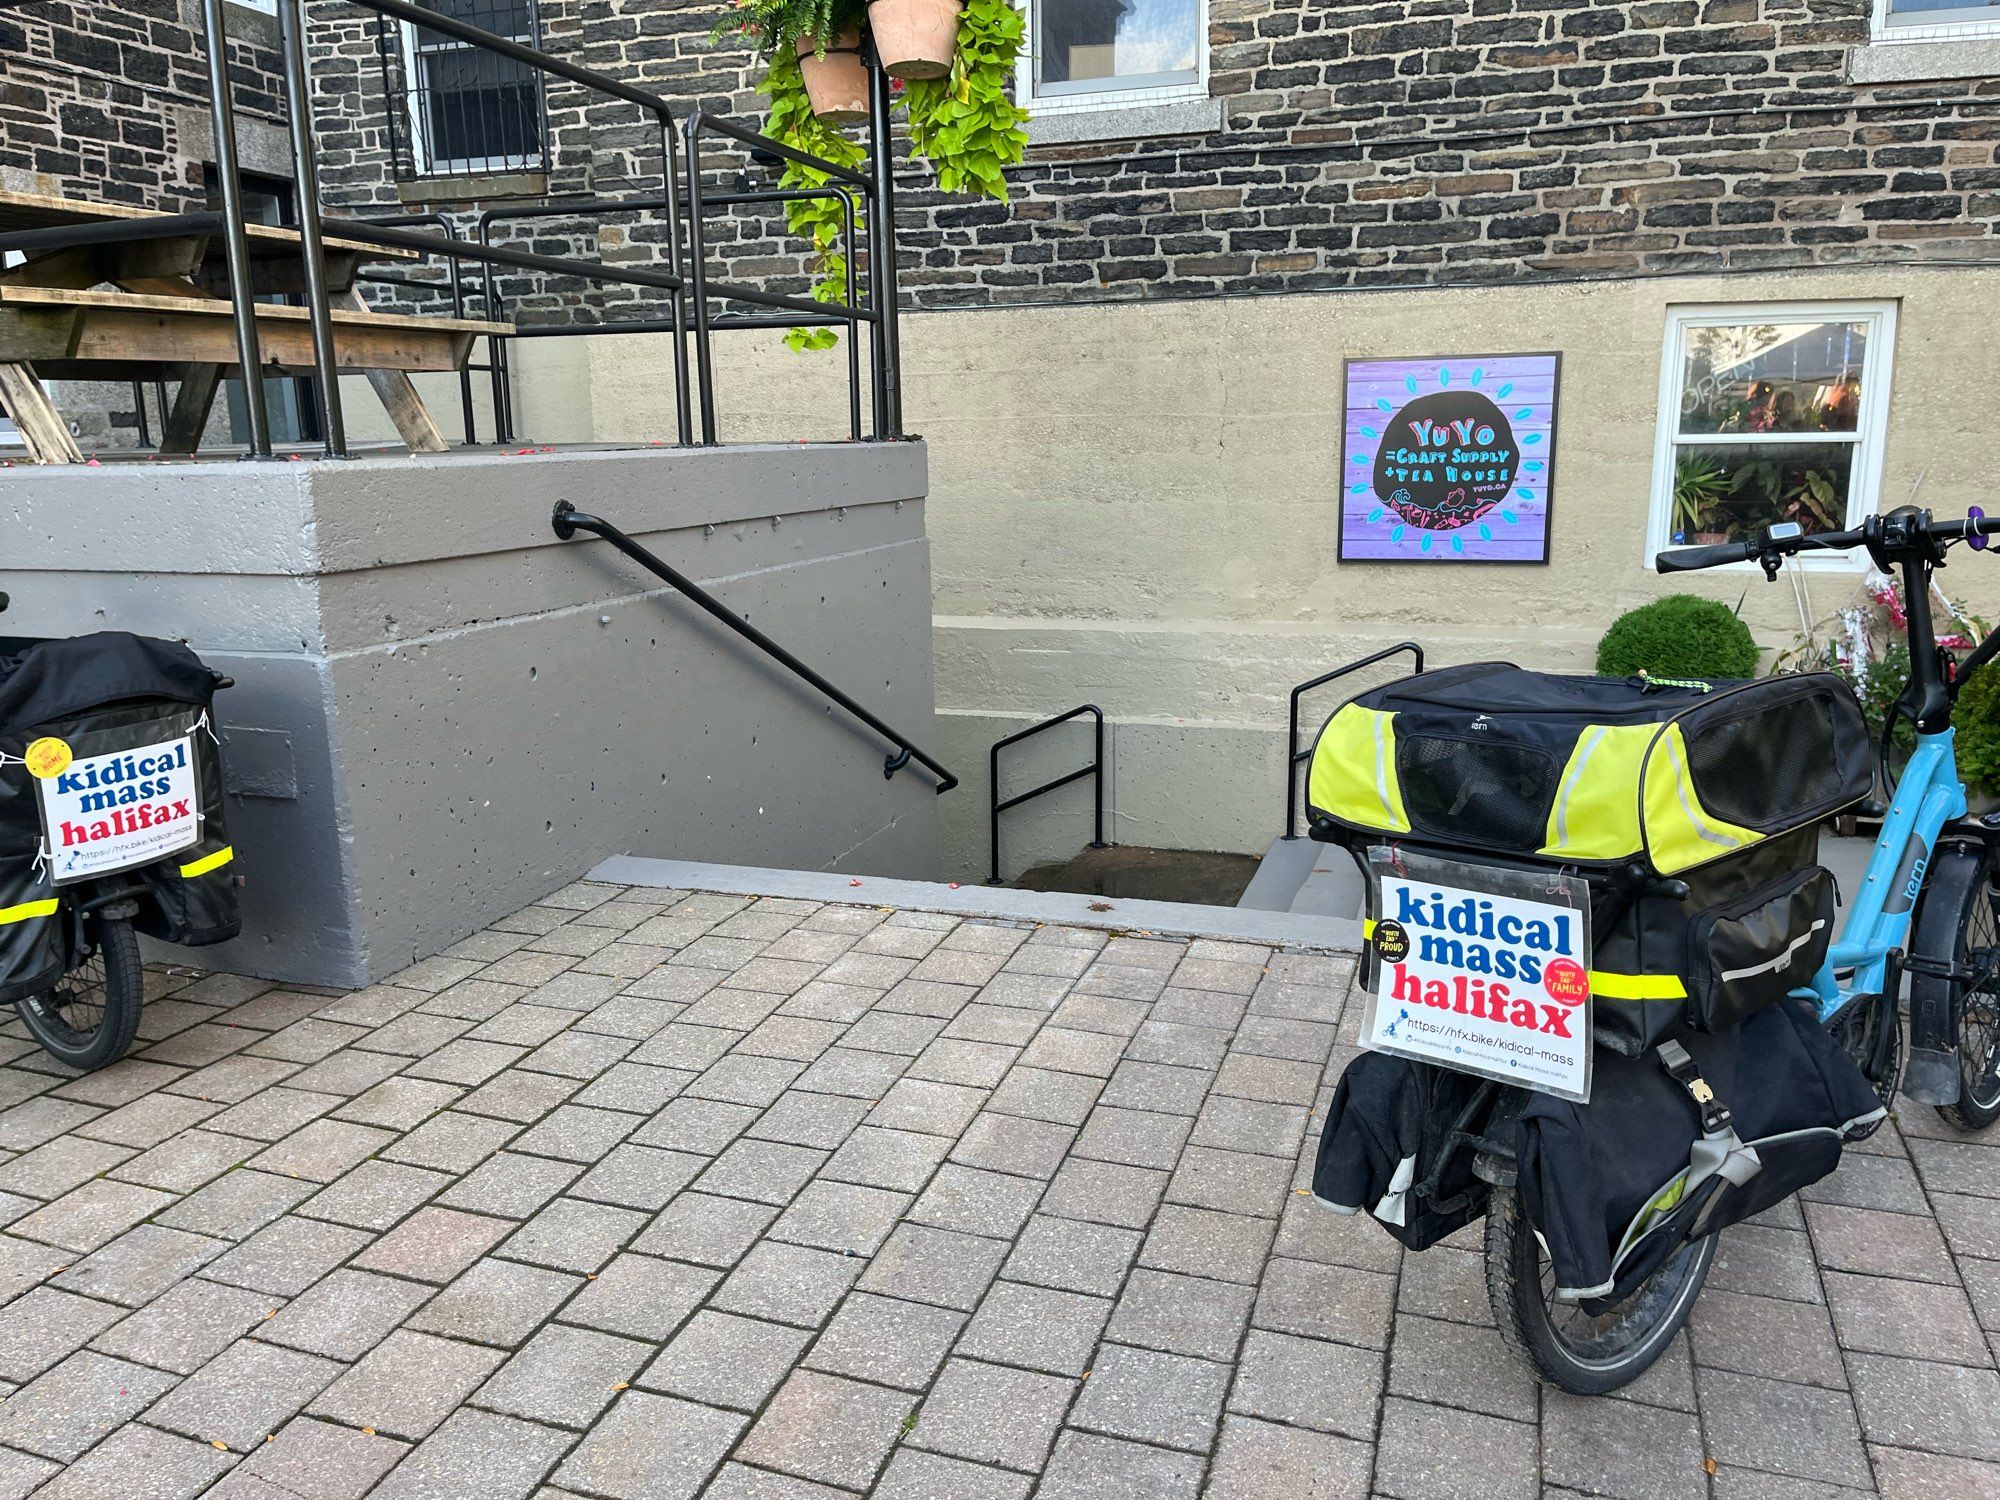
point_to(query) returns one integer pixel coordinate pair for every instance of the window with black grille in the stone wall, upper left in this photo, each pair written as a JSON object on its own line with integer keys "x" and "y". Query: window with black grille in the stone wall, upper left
{"x": 461, "y": 109}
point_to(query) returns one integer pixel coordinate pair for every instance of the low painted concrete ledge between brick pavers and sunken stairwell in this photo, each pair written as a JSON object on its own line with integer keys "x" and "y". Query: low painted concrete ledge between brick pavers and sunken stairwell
{"x": 1171, "y": 919}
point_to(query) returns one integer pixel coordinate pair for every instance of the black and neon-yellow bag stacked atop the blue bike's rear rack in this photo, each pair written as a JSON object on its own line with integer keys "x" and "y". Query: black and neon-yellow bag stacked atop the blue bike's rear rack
{"x": 1717, "y": 785}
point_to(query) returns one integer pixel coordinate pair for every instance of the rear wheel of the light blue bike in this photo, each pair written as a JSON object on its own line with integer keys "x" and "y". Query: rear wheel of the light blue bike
{"x": 1567, "y": 1347}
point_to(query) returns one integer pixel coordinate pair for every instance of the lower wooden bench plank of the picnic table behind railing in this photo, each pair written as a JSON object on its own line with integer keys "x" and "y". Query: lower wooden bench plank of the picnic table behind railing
{"x": 83, "y": 335}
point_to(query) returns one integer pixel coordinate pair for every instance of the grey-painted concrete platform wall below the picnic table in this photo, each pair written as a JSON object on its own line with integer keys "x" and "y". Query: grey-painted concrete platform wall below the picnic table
{"x": 445, "y": 713}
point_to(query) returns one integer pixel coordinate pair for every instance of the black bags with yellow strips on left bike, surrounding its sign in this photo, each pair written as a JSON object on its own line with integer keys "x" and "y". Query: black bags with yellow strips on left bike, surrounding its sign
{"x": 101, "y": 695}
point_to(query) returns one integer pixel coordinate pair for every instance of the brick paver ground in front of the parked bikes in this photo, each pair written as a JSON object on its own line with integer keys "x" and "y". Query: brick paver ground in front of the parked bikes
{"x": 649, "y": 1195}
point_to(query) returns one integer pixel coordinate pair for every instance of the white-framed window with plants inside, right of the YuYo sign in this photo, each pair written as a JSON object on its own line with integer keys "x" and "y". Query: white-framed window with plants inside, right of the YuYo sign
{"x": 1771, "y": 415}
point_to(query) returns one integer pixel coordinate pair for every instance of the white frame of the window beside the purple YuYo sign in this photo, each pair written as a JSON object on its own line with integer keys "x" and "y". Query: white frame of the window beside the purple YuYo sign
{"x": 1871, "y": 427}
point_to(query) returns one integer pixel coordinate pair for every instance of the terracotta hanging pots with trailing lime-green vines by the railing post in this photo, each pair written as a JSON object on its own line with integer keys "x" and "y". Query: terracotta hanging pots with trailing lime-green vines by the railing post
{"x": 953, "y": 65}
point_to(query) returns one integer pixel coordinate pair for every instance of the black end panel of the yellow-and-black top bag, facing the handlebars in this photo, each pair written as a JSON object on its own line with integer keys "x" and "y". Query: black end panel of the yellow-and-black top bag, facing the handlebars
{"x": 1759, "y": 771}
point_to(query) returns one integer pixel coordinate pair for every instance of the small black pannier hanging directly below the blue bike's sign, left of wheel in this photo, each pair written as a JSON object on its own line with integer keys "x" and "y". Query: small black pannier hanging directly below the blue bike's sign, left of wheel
{"x": 1389, "y": 1149}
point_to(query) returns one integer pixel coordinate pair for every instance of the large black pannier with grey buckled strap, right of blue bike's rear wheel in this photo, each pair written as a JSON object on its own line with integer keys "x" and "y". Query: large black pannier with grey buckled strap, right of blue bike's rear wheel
{"x": 1621, "y": 1183}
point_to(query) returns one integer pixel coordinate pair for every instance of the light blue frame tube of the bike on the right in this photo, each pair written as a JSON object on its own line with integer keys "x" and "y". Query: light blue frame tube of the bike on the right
{"x": 1879, "y": 919}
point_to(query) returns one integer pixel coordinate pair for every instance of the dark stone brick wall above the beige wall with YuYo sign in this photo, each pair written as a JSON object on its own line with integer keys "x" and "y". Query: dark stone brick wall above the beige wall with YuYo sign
{"x": 1391, "y": 145}
